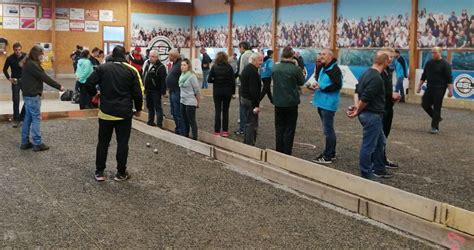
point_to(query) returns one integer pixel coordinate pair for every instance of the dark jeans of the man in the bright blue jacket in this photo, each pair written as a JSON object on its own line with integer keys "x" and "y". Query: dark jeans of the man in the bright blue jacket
{"x": 327, "y": 118}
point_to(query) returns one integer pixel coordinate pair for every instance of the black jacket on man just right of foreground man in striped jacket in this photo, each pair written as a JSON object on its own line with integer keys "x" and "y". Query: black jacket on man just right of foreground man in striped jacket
{"x": 154, "y": 76}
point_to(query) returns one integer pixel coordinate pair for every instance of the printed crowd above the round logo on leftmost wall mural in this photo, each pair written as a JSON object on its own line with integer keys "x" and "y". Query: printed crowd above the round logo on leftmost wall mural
{"x": 179, "y": 37}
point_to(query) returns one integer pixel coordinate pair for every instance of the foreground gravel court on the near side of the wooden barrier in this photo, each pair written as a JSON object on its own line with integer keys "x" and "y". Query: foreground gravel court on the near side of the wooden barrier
{"x": 175, "y": 198}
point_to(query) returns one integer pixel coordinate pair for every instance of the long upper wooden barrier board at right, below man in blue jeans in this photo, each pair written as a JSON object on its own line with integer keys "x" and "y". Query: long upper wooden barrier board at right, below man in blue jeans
{"x": 410, "y": 203}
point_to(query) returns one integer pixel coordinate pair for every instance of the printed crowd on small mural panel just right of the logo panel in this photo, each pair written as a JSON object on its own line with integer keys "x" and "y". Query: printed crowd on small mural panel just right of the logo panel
{"x": 211, "y": 37}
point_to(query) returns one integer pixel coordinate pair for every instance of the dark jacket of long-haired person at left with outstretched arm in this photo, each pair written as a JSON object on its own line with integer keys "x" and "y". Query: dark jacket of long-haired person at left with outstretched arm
{"x": 33, "y": 77}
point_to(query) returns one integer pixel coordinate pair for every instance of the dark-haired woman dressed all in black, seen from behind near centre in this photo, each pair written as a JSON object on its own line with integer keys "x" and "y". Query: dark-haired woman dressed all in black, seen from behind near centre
{"x": 222, "y": 77}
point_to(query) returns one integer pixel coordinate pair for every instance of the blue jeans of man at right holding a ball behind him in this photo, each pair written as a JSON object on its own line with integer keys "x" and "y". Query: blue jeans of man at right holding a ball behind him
{"x": 371, "y": 156}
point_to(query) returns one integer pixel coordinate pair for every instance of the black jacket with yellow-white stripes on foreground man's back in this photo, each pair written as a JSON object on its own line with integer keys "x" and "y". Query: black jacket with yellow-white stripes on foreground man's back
{"x": 120, "y": 88}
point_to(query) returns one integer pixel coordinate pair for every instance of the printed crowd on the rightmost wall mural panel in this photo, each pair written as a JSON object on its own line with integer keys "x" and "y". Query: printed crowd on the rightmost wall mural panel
{"x": 453, "y": 31}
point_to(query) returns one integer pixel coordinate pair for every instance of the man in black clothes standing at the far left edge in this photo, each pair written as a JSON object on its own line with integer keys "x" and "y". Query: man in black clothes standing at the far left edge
{"x": 13, "y": 62}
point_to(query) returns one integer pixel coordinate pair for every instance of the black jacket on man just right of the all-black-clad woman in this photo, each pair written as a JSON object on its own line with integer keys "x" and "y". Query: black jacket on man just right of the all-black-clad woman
{"x": 251, "y": 84}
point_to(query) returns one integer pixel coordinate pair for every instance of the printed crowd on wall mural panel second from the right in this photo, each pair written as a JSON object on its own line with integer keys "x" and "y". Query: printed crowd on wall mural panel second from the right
{"x": 387, "y": 31}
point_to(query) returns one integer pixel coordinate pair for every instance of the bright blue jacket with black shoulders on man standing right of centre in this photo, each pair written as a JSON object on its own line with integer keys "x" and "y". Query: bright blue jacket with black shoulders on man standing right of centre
{"x": 330, "y": 84}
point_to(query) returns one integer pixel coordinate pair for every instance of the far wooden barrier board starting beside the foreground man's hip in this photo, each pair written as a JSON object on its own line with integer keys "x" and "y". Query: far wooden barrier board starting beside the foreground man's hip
{"x": 164, "y": 135}
